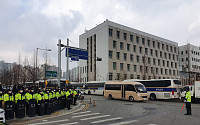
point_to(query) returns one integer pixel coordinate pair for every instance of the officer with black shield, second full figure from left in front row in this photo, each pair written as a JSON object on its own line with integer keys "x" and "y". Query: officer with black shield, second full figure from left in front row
{"x": 20, "y": 104}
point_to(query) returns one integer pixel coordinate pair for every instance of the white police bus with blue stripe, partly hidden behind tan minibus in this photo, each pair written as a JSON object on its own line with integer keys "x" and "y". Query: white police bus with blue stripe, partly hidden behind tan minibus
{"x": 161, "y": 88}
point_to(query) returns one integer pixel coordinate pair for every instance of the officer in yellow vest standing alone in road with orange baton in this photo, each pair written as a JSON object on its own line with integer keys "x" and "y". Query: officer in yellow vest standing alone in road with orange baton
{"x": 188, "y": 102}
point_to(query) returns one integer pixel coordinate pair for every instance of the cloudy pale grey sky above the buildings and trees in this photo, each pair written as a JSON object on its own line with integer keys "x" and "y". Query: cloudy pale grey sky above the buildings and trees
{"x": 29, "y": 24}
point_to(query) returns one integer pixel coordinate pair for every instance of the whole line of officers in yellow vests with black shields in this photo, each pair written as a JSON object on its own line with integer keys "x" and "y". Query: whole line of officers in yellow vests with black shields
{"x": 32, "y": 103}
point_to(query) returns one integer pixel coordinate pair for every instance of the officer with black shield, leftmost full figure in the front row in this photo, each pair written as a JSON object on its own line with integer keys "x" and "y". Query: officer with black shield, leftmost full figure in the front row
{"x": 9, "y": 104}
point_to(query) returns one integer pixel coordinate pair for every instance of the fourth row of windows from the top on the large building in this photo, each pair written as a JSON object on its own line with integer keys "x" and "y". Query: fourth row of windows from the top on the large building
{"x": 142, "y": 69}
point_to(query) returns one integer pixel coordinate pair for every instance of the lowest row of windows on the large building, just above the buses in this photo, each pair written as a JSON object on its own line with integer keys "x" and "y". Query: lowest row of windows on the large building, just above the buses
{"x": 131, "y": 76}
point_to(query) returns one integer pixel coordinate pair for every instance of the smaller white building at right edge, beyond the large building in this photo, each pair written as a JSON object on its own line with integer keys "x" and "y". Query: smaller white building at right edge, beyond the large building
{"x": 189, "y": 63}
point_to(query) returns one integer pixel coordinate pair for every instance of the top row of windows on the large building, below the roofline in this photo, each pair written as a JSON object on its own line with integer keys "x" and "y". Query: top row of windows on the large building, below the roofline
{"x": 144, "y": 41}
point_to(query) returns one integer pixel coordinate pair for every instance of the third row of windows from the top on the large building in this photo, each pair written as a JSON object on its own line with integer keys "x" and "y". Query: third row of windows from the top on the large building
{"x": 144, "y": 59}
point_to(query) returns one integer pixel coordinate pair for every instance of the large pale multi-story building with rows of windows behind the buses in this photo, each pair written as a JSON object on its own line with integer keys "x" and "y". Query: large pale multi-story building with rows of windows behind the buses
{"x": 126, "y": 53}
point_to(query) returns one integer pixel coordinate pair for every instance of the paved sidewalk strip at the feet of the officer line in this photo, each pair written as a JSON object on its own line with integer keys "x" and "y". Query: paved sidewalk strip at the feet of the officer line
{"x": 20, "y": 121}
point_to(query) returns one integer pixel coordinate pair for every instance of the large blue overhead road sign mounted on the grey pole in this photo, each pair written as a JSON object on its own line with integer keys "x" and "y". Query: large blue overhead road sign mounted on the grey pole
{"x": 80, "y": 53}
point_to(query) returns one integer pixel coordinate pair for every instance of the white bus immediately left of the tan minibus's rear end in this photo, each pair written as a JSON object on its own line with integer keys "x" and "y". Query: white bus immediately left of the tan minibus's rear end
{"x": 94, "y": 87}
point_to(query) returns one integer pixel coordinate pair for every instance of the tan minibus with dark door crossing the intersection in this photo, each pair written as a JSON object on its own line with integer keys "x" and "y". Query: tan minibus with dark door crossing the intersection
{"x": 132, "y": 91}
